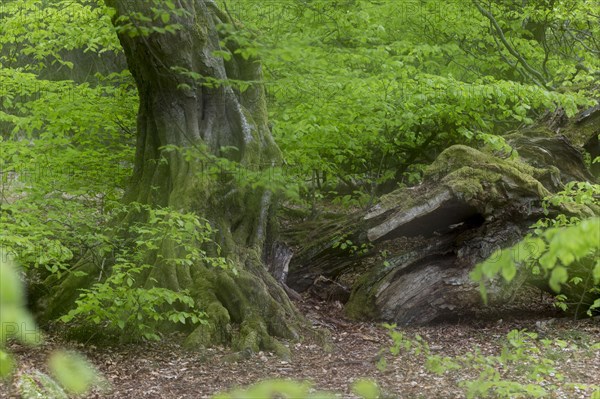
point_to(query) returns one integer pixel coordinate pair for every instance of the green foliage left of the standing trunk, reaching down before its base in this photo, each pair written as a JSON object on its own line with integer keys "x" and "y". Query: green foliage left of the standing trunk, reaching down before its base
{"x": 67, "y": 150}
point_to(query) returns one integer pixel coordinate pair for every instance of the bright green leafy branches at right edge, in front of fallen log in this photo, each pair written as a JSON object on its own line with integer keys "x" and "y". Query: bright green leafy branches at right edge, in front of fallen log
{"x": 563, "y": 250}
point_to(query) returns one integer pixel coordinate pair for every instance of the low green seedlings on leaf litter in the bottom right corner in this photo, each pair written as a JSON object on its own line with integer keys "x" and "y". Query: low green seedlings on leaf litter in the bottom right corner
{"x": 526, "y": 366}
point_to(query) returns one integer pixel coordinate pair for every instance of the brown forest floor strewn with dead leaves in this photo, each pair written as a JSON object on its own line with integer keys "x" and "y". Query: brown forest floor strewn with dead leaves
{"x": 165, "y": 370}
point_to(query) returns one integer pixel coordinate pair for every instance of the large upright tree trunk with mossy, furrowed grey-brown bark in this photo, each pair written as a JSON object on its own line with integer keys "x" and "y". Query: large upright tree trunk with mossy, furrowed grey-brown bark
{"x": 187, "y": 102}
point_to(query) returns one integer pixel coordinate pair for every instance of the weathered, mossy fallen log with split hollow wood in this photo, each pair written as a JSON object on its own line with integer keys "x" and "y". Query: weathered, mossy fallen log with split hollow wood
{"x": 419, "y": 244}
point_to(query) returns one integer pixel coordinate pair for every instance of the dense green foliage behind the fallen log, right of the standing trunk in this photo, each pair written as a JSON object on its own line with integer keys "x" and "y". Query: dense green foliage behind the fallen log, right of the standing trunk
{"x": 364, "y": 92}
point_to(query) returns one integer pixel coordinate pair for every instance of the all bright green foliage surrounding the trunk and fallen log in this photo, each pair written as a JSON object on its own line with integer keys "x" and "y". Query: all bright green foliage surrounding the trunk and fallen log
{"x": 362, "y": 96}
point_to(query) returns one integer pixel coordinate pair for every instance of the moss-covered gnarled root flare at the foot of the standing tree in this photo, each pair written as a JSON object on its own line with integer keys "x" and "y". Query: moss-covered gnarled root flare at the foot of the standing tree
{"x": 247, "y": 309}
